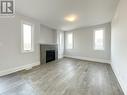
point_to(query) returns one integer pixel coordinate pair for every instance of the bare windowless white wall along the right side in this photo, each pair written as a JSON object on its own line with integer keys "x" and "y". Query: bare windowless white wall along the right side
{"x": 119, "y": 44}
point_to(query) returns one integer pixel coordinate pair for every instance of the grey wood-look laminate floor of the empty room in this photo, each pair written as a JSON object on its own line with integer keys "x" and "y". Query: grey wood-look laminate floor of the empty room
{"x": 66, "y": 77}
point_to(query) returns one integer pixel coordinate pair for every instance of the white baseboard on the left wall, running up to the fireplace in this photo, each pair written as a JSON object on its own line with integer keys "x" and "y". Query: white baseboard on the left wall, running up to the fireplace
{"x": 13, "y": 70}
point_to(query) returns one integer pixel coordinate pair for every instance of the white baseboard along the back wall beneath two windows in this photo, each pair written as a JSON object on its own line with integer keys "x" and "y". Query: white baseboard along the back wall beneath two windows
{"x": 89, "y": 59}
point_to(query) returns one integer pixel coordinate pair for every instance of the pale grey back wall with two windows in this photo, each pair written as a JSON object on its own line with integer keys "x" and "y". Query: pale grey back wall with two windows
{"x": 83, "y": 44}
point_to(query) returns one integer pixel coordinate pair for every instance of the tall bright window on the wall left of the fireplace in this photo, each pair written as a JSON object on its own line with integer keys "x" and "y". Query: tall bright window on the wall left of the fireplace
{"x": 27, "y": 37}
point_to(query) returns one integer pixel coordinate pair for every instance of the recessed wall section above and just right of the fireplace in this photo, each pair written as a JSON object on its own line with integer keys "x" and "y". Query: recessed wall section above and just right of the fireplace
{"x": 51, "y": 36}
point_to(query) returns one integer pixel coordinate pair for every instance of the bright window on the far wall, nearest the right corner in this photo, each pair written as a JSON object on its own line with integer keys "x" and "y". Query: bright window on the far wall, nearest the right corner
{"x": 99, "y": 39}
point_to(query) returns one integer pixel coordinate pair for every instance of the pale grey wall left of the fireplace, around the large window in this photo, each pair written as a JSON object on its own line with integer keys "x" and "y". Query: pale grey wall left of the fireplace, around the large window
{"x": 11, "y": 57}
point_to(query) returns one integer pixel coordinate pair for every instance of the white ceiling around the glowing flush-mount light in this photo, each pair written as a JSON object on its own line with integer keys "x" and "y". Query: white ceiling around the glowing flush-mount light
{"x": 52, "y": 12}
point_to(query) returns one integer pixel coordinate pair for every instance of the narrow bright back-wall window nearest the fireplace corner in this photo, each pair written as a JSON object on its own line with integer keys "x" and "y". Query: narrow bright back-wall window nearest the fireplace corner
{"x": 69, "y": 40}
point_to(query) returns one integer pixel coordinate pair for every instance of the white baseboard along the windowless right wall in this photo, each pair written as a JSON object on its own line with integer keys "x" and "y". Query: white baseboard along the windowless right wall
{"x": 119, "y": 80}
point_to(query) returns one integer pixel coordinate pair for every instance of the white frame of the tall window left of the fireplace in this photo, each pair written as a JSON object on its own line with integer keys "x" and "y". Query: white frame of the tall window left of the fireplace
{"x": 32, "y": 37}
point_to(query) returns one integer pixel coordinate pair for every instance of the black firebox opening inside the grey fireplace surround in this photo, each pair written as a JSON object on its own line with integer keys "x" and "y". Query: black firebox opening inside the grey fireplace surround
{"x": 50, "y": 55}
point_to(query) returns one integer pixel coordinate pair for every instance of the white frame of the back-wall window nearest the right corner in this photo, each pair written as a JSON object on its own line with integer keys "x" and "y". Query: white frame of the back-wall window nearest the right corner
{"x": 94, "y": 45}
